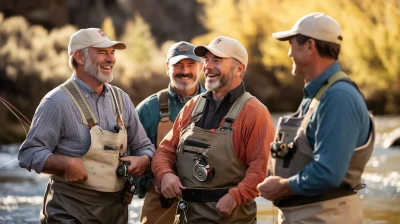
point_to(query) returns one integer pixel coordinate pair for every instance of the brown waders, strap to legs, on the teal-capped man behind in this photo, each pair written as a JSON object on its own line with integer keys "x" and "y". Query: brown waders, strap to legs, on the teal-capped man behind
{"x": 152, "y": 212}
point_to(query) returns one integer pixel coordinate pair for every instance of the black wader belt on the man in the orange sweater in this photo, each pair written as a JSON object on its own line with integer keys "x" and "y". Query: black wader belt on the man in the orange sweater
{"x": 203, "y": 195}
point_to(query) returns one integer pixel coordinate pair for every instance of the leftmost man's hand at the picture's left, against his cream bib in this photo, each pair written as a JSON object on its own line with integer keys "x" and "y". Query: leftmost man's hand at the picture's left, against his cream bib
{"x": 74, "y": 171}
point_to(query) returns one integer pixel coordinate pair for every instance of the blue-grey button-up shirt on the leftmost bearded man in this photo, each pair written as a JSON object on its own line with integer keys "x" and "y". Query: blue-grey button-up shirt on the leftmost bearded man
{"x": 57, "y": 126}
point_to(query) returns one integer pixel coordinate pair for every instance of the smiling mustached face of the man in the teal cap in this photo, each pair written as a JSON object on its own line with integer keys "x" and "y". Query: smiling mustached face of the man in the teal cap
{"x": 184, "y": 75}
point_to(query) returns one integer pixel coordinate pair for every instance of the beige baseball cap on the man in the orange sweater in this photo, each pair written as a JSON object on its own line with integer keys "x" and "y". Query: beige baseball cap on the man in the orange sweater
{"x": 224, "y": 47}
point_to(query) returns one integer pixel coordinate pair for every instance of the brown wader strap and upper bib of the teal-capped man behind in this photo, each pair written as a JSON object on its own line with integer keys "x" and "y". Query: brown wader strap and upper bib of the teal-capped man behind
{"x": 165, "y": 124}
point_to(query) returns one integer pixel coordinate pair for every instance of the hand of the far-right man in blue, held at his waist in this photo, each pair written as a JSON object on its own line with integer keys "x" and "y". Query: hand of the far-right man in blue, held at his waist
{"x": 274, "y": 188}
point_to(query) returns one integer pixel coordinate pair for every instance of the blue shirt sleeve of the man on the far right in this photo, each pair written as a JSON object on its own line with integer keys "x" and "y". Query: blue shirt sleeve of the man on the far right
{"x": 338, "y": 124}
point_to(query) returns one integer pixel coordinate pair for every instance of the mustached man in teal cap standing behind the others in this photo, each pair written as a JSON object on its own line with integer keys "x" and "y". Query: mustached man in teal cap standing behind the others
{"x": 157, "y": 114}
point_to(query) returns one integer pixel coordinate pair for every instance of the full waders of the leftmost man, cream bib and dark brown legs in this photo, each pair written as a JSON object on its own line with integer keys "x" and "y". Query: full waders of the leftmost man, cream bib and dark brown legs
{"x": 88, "y": 201}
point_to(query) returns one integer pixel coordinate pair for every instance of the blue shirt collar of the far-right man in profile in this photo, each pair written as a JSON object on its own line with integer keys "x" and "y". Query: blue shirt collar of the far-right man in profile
{"x": 311, "y": 88}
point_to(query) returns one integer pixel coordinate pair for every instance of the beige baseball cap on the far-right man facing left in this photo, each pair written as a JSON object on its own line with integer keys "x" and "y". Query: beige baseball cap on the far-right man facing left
{"x": 316, "y": 25}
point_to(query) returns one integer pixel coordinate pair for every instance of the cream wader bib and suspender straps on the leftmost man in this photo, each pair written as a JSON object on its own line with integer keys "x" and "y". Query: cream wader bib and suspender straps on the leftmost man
{"x": 102, "y": 159}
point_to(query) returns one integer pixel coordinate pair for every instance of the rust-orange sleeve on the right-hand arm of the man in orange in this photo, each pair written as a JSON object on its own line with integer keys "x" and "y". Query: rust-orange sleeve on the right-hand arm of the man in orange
{"x": 252, "y": 147}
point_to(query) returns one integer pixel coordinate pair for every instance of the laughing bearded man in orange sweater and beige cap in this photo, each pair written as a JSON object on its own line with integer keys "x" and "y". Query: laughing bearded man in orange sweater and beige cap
{"x": 217, "y": 151}
